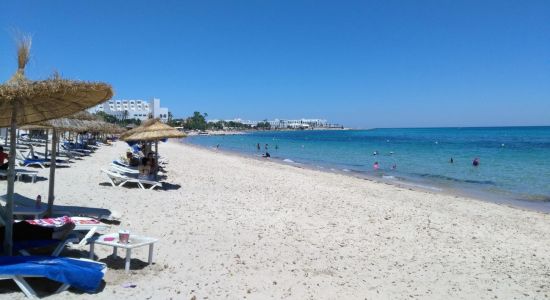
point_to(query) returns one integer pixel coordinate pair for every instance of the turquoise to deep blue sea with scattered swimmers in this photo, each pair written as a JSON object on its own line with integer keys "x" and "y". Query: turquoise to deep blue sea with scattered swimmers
{"x": 513, "y": 169}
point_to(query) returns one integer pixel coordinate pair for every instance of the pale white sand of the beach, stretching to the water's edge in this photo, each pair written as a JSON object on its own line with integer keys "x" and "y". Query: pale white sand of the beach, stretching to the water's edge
{"x": 244, "y": 228}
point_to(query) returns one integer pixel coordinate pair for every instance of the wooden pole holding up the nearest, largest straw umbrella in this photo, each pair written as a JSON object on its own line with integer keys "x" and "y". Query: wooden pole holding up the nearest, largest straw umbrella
{"x": 8, "y": 226}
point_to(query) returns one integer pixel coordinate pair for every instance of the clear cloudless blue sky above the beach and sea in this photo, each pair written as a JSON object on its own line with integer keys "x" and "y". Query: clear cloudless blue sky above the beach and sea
{"x": 362, "y": 64}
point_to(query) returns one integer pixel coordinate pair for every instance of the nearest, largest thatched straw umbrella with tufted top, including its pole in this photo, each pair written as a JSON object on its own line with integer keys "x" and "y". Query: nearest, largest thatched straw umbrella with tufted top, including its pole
{"x": 23, "y": 101}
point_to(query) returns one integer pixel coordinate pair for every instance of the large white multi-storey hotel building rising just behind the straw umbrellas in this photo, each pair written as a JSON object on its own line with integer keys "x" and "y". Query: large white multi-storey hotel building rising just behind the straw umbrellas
{"x": 136, "y": 109}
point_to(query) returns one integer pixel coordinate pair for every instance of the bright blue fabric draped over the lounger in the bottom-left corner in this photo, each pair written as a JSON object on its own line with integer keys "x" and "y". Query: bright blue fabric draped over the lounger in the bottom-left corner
{"x": 83, "y": 275}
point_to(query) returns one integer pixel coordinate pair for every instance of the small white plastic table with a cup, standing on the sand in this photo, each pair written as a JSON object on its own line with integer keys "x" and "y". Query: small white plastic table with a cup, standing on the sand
{"x": 135, "y": 242}
